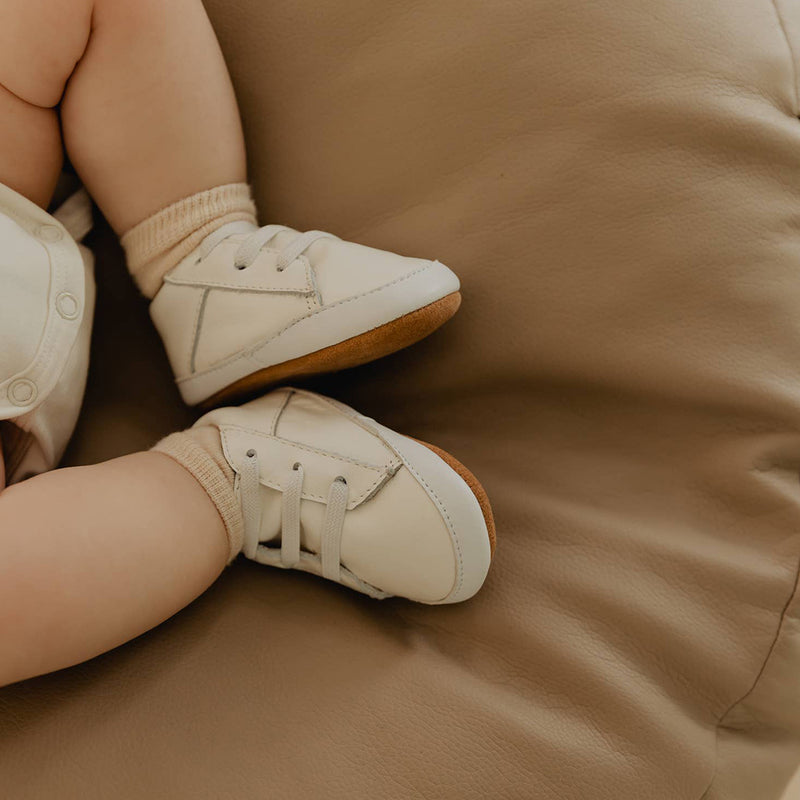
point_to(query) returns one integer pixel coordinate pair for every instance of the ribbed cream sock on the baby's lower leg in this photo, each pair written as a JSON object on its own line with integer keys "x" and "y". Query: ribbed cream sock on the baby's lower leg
{"x": 199, "y": 451}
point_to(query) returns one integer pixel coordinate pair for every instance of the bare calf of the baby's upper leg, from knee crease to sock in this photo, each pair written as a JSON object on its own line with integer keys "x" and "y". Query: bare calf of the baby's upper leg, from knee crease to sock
{"x": 149, "y": 114}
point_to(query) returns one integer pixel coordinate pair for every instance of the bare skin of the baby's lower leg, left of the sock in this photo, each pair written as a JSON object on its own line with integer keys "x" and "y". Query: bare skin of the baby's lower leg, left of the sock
{"x": 91, "y": 557}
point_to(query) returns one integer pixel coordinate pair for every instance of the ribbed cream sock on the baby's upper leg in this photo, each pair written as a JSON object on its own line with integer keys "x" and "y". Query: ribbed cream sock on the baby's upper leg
{"x": 156, "y": 245}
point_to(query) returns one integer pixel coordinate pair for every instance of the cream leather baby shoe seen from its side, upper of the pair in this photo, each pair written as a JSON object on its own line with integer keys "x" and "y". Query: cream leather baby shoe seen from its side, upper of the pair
{"x": 253, "y": 306}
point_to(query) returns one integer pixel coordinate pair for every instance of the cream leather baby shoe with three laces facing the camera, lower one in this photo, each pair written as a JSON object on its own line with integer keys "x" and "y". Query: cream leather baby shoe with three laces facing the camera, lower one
{"x": 328, "y": 491}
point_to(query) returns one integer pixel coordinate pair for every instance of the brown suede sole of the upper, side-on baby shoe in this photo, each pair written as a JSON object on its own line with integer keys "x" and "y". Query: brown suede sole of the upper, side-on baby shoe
{"x": 381, "y": 341}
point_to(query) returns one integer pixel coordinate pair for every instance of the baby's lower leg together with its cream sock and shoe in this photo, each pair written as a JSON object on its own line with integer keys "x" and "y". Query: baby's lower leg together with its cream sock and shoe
{"x": 90, "y": 557}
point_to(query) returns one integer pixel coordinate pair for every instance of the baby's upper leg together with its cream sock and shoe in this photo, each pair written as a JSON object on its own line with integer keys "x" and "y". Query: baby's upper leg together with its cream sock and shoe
{"x": 150, "y": 122}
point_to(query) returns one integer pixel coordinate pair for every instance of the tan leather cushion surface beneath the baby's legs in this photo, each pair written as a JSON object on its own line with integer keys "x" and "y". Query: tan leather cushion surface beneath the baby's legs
{"x": 616, "y": 184}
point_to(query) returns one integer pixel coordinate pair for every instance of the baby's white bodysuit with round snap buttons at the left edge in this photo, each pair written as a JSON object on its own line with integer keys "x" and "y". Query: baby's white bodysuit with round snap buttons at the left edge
{"x": 47, "y": 296}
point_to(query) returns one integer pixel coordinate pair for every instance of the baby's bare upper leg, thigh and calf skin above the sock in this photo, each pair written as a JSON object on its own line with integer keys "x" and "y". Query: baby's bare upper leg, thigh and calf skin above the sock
{"x": 147, "y": 107}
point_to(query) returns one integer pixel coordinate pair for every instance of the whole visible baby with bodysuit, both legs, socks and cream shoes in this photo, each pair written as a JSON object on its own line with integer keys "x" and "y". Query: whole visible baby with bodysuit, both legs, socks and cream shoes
{"x": 90, "y": 557}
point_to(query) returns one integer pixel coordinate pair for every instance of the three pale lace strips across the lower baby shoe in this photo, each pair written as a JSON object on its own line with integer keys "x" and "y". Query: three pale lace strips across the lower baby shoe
{"x": 331, "y": 538}
